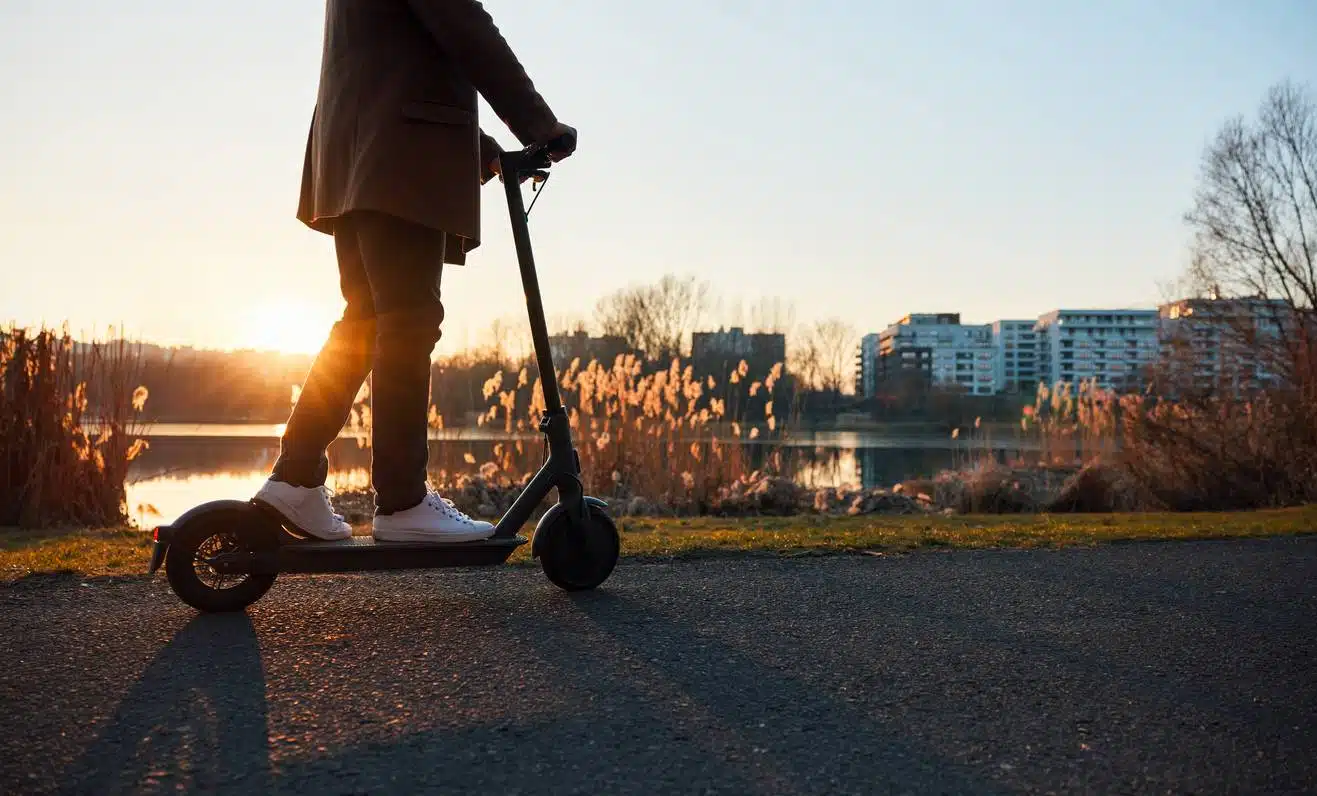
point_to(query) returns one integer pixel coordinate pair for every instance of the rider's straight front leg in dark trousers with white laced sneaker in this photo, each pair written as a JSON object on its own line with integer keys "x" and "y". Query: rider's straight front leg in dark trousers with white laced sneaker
{"x": 405, "y": 264}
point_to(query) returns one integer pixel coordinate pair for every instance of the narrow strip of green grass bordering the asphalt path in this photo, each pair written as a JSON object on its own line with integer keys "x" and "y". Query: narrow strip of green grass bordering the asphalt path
{"x": 128, "y": 553}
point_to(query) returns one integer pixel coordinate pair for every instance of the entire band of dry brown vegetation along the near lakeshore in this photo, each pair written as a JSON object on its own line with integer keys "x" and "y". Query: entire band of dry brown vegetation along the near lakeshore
{"x": 667, "y": 442}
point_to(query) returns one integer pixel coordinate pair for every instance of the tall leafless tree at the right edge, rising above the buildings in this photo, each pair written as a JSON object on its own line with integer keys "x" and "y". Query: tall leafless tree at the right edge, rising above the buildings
{"x": 1256, "y": 226}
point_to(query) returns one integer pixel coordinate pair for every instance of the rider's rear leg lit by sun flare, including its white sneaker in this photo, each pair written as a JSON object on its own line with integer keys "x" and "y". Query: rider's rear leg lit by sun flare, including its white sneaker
{"x": 297, "y": 480}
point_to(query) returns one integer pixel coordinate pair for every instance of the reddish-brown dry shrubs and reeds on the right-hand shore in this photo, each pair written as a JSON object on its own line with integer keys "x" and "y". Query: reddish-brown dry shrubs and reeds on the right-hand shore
{"x": 1102, "y": 451}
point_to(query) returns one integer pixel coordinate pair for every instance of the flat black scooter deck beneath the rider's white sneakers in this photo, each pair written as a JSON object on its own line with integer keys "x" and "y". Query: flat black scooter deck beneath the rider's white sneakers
{"x": 363, "y": 554}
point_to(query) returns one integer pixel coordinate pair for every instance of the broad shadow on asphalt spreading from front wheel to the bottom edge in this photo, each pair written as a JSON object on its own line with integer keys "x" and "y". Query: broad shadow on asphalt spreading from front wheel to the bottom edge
{"x": 650, "y": 706}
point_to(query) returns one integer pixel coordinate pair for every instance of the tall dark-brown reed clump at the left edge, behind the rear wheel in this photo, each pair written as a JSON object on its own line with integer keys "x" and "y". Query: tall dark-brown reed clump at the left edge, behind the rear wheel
{"x": 69, "y": 417}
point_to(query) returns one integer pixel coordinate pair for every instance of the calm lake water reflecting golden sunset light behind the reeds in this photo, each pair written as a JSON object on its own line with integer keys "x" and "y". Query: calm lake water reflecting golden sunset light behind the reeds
{"x": 192, "y": 463}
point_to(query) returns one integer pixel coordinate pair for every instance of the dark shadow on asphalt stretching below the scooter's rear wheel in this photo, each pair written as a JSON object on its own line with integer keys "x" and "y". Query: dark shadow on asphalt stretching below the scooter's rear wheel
{"x": 194, "y": 720}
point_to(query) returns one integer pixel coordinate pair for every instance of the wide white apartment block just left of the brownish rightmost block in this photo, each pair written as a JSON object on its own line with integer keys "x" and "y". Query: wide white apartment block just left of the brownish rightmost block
{"x": 1115, "y": 349}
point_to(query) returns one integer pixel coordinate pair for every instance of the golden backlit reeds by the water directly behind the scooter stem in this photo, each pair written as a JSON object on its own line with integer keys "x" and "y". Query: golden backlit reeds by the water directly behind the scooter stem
{"x": 664, "y": 434}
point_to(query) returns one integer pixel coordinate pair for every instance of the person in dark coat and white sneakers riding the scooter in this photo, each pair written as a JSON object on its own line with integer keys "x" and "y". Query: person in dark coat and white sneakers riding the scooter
{"x": 394, "y": 163}
